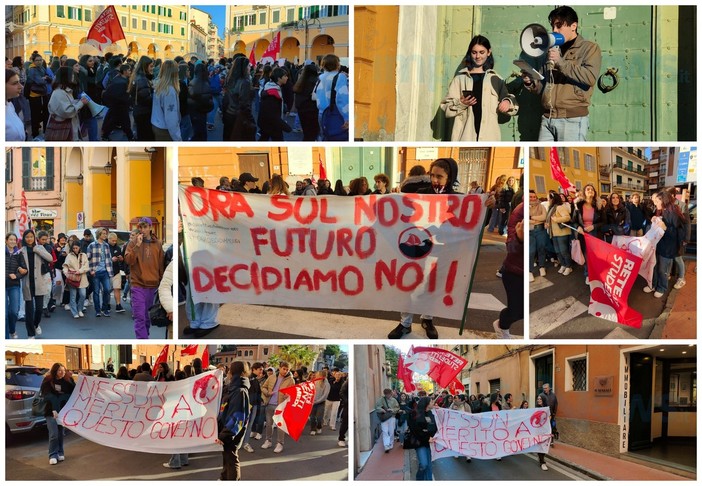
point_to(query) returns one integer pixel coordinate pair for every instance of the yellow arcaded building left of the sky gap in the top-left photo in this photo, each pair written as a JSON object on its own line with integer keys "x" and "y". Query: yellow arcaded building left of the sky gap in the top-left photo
{"x": 55, "y": 30}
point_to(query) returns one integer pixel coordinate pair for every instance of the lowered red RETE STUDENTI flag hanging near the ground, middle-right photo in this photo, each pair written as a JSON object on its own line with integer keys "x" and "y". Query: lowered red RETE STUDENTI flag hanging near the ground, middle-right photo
{"x": 612, "y": 272}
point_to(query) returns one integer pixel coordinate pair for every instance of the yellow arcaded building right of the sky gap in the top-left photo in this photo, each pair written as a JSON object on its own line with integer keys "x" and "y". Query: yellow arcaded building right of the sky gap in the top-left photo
{"x": 306, "y": 32}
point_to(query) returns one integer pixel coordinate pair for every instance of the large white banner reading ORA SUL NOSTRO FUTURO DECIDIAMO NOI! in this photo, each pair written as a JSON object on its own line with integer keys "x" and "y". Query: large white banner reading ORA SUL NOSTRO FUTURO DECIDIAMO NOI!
{"x": 400, "y": 252}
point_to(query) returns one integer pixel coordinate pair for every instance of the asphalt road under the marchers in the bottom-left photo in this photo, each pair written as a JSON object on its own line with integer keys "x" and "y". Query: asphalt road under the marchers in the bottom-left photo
{"x": 312, "y": 458}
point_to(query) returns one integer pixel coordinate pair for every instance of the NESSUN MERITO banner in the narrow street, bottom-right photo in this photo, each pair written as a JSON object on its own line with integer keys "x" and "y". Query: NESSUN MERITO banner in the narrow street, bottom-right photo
{"x": 490, "y": 435}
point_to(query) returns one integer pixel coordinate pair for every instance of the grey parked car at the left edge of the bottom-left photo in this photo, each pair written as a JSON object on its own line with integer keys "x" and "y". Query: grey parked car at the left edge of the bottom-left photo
{"x": 22, "y": 384}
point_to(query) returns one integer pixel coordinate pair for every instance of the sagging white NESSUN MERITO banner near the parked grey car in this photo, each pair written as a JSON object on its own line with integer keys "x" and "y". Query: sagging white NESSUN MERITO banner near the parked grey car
{"x": 147, "y": 416}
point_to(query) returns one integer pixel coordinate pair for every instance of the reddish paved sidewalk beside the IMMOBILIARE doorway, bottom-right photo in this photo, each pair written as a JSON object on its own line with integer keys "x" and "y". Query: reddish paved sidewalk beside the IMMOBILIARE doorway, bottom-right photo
{"x": 601, "y": 466}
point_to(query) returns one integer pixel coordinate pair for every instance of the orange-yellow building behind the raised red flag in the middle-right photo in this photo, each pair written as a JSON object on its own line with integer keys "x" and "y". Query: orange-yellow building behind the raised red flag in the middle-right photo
{"x": 580, "y": 165}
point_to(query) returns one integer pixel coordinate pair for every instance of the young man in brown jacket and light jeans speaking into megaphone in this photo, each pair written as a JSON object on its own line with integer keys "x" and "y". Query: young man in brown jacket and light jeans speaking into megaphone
{"x": 568, "y": 81}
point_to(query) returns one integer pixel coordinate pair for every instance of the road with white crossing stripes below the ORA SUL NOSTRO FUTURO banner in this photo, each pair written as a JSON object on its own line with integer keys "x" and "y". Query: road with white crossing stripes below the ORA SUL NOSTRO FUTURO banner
{"x": 267, "y": 322}
